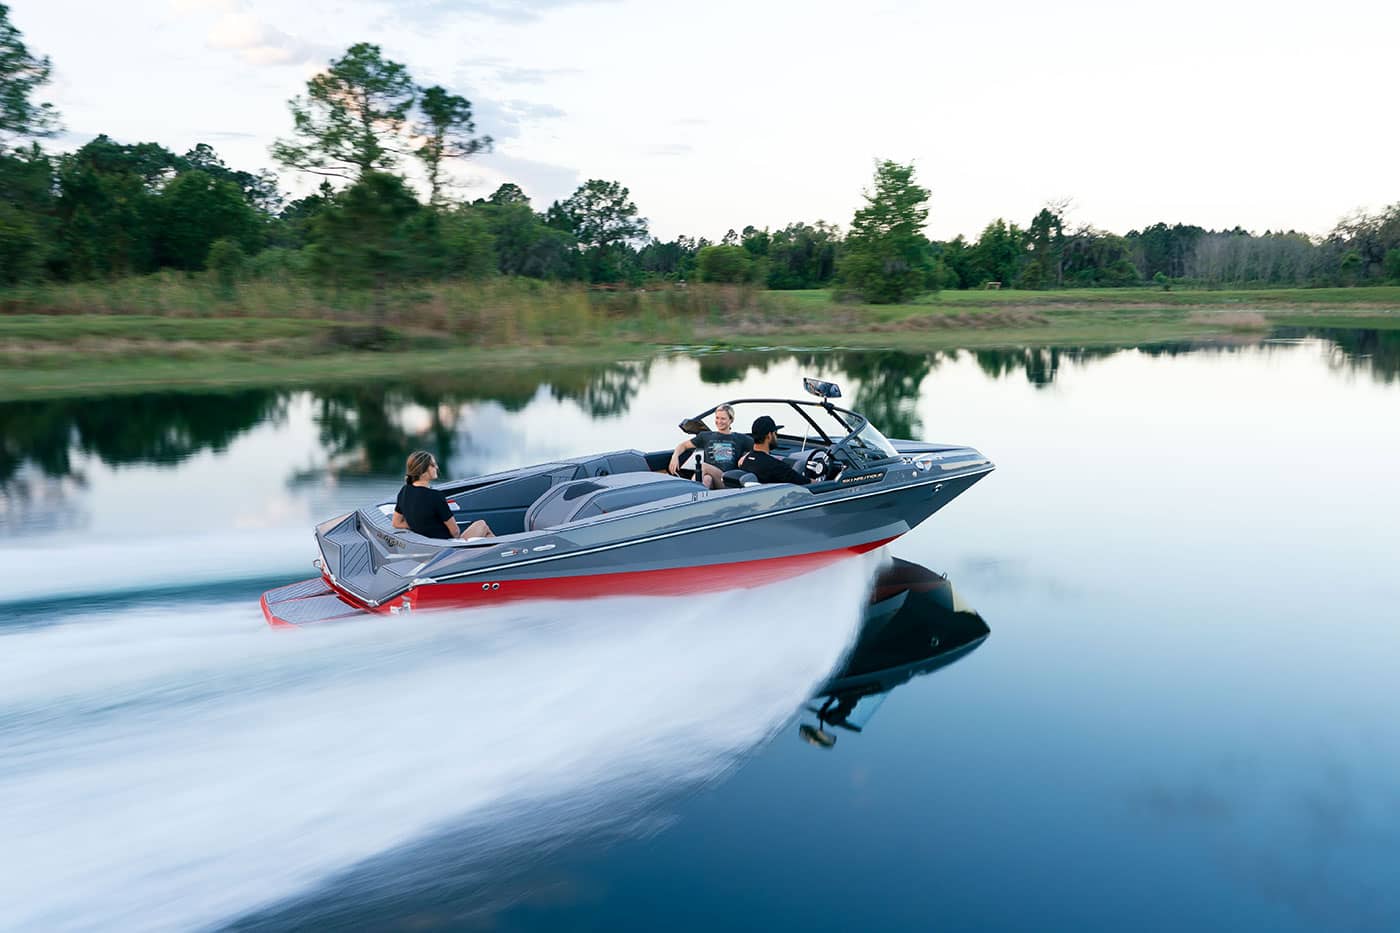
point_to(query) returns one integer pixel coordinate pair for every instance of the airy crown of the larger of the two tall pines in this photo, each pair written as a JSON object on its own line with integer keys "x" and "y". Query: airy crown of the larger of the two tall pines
{"x": 351, "y": 120}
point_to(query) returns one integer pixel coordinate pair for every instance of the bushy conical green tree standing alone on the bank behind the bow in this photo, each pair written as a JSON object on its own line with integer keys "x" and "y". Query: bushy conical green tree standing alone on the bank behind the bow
{"x": 885, "y": 256}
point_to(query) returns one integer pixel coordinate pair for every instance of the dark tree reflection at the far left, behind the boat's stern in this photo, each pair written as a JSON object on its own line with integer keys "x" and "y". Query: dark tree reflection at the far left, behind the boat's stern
{"x": 129, "y": 429}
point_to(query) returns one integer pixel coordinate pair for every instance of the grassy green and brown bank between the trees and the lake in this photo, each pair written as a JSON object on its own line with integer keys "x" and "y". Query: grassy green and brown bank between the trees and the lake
{"x": 176, "y": 333}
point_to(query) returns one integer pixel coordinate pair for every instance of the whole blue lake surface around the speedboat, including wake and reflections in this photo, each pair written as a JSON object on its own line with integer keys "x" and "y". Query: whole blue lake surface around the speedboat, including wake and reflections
{"x": 1184, "y": 715}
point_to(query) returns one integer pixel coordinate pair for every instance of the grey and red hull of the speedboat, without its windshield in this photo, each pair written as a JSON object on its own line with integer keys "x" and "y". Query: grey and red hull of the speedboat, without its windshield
{"x": 689, "y": 543}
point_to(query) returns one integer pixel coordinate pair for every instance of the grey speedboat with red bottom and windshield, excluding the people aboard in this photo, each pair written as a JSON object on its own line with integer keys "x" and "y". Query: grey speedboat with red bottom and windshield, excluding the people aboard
{"x": 619, "y": 523}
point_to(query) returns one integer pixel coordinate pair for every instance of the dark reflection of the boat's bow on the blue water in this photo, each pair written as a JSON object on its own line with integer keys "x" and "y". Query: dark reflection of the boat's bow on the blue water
{"x": 915, "y": 626}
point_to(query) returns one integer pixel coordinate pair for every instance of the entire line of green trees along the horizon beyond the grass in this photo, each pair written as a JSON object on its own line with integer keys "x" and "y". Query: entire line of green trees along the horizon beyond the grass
{"x": 117, "y": 209}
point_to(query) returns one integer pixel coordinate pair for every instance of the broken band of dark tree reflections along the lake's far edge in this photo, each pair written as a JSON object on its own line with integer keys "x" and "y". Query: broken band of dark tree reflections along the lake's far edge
{"x": 363, "y": 427}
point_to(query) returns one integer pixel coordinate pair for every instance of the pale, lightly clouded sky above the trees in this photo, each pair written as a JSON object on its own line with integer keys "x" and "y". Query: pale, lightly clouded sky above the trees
{"x": 717, "y": 116}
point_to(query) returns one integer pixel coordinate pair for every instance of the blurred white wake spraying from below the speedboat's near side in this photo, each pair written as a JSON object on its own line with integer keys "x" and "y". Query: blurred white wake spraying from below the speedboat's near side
{"x": 181, "y": 766}
